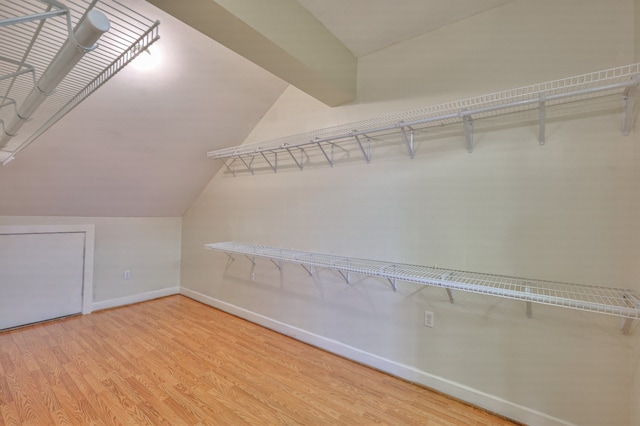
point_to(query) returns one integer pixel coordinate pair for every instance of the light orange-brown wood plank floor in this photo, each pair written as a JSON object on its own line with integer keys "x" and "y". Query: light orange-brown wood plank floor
{"x": 174, "y": 361}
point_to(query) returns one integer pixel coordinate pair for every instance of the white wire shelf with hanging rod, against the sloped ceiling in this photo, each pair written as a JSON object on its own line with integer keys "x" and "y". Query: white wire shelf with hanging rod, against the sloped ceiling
{"x": 32, "y": 32}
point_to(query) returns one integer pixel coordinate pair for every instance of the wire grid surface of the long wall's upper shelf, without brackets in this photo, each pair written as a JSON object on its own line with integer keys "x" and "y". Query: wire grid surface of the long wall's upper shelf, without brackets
{"x": 583, "y": 87}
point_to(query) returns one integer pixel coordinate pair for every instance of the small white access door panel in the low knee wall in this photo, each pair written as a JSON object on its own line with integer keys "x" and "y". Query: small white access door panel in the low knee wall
{"x": 41, "y": 276}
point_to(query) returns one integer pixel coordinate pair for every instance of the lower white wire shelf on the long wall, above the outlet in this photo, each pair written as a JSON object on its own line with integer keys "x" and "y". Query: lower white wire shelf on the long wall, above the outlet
{"x": 624, "y": 303}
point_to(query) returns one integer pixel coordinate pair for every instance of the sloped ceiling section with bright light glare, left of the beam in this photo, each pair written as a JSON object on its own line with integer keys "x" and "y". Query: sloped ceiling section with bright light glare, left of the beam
{"x": 137, "y": 147}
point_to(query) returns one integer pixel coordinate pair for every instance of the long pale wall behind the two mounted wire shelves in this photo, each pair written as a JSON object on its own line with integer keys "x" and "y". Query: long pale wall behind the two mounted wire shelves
{"x": 565, "y": 211}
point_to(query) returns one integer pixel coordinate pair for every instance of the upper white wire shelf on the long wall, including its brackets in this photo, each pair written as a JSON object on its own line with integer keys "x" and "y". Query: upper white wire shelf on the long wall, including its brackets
{"x": 621, "y": 83}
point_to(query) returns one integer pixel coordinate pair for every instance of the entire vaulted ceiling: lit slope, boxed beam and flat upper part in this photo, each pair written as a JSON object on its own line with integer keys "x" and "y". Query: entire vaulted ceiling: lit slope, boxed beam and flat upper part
{"x": 137, "y": 146}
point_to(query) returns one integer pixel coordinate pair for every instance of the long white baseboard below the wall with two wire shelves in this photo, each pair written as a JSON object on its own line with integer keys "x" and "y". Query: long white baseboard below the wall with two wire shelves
{"x": 440, "y": 384}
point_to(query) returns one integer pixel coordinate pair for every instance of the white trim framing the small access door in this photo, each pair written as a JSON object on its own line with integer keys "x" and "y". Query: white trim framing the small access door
{"x": 89, "y": 249}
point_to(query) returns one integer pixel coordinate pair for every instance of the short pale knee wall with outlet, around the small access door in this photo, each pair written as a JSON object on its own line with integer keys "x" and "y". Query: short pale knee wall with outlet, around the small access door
{"x": 148, "y": 247}
